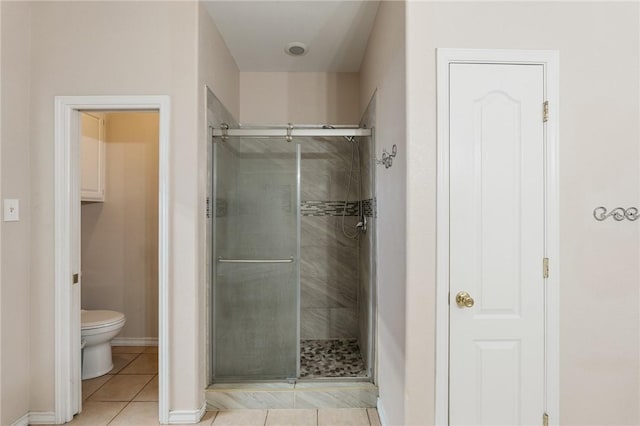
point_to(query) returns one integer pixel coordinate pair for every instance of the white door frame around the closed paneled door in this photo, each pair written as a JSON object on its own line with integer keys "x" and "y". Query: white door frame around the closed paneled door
{"x": 549, "y": 60}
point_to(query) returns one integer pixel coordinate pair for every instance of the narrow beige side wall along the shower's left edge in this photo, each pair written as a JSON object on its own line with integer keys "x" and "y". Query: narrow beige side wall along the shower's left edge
{"x": 217, "y": 70}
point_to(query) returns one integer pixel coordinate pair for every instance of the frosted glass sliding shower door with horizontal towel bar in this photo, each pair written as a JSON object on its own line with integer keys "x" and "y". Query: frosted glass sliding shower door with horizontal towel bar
{"x": 256, "y": 259}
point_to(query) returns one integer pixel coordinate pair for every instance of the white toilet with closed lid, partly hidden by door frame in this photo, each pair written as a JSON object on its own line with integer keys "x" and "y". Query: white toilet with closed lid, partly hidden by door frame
{"x": 98, "y": 328}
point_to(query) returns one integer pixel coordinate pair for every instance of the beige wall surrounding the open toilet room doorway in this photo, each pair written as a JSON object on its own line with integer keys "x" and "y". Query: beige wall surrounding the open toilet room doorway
{"x": 116, "y": 48}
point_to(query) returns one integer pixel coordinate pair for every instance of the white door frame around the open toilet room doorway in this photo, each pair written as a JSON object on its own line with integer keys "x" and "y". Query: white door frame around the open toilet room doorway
{"x": 67, "y": 394}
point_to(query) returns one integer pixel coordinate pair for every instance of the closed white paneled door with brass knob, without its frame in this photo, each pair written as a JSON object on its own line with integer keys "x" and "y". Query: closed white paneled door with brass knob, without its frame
{"x": 497, "y": 244}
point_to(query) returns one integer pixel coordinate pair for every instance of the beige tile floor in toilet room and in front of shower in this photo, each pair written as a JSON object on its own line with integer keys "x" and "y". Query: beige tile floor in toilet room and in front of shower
{"x": 128, "y": 395}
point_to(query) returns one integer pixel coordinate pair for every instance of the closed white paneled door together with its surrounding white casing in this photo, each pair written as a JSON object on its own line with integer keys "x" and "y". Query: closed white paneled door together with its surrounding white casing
{"x": 497, "y": 220}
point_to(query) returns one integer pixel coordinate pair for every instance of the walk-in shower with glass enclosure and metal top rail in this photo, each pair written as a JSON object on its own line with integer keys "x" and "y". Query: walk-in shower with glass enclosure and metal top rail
{"x": 292, "y": 295}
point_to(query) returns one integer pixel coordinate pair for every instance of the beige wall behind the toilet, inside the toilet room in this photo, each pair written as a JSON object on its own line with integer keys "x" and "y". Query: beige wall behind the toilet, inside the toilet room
{"x": 120, "y": 235}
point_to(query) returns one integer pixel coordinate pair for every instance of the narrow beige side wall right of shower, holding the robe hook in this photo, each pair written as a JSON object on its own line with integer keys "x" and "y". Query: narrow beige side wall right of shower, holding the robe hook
{"x": 383, "y": 72}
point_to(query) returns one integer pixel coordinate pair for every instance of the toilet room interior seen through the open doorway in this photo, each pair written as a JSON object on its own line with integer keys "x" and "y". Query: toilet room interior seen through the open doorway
{"x": 119, "y": 257}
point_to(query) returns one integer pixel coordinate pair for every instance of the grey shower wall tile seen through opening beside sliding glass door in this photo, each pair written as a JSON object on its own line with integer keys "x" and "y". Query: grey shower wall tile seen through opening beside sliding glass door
{"x": 329, "y": 260}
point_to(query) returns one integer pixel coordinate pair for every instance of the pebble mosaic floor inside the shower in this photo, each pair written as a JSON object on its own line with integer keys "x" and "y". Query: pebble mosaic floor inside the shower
{"x": 331, "y": 358}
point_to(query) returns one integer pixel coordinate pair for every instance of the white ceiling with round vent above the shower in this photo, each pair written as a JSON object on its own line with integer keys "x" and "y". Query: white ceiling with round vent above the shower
{"x": 257, "y": 32}
